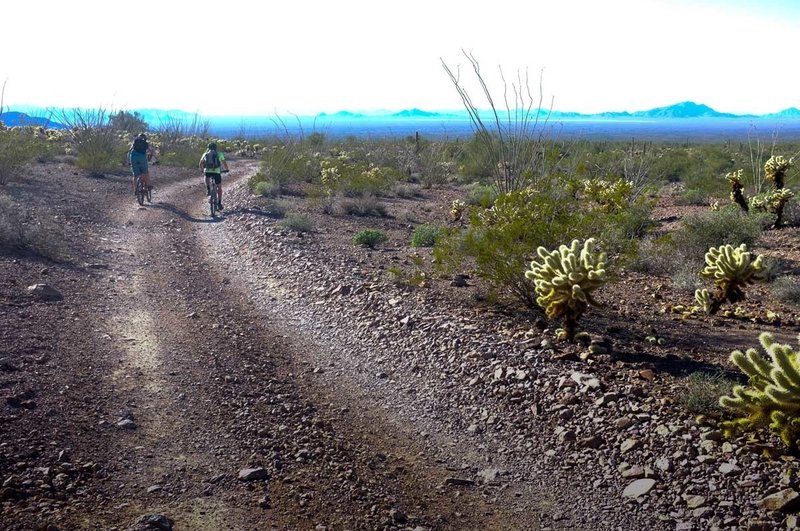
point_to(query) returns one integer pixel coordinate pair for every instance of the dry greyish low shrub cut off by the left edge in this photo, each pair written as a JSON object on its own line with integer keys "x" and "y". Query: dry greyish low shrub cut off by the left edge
{"x": 22, "y": 230}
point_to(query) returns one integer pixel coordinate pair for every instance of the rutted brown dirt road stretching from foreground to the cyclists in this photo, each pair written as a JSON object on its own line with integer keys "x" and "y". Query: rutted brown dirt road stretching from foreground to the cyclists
{"x": 202, "y": 386}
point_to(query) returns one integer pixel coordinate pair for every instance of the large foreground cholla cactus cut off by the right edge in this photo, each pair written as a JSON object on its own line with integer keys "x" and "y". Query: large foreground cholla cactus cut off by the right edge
{"x": 773, "y": 395}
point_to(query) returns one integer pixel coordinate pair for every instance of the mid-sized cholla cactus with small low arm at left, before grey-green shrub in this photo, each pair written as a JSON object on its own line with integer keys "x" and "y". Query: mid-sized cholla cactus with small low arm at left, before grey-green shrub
{"x": 732, "y": 268}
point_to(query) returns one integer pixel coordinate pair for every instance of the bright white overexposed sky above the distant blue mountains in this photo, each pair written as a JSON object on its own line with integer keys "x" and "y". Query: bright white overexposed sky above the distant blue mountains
{"x": 303, "y": 57}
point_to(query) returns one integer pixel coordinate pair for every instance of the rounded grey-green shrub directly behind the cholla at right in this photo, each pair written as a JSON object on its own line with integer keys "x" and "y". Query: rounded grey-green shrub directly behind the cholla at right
{"x": 714, "y": 228}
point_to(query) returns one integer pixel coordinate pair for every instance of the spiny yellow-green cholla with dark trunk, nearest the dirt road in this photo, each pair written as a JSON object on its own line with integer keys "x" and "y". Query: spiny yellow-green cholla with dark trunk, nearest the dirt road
{"x": 565, "y": 279}
